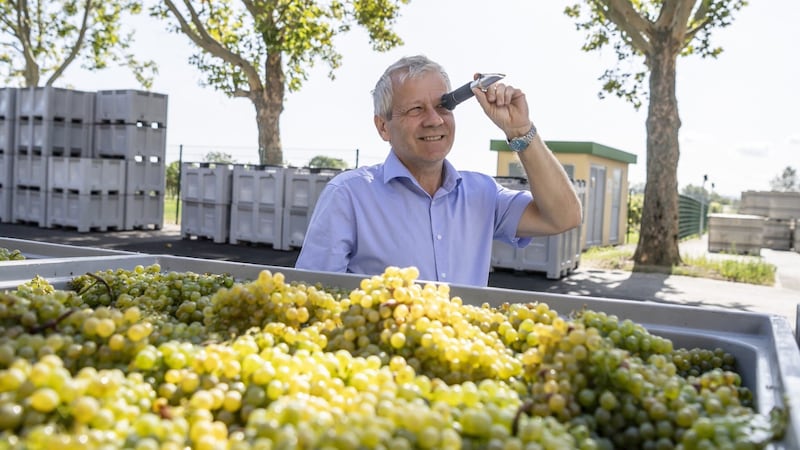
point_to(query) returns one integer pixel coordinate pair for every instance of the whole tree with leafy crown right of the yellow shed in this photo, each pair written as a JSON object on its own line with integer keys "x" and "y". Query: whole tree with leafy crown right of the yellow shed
{"x": 653, "y": 33}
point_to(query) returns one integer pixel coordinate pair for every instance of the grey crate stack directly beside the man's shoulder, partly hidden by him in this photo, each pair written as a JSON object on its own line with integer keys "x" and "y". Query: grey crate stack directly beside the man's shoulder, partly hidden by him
{"x": 303, "y": 187}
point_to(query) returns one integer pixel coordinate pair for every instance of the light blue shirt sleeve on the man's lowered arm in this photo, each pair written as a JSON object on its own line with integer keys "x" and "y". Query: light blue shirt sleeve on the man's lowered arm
{"x": 328, "y": 243}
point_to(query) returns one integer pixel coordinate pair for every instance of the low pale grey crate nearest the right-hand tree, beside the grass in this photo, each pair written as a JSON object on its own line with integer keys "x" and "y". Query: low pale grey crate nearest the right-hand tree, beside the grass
{"x": 735, "y": 233}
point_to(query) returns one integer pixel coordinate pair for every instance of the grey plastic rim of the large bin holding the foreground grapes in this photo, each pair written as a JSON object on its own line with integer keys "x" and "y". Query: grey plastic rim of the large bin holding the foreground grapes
{"x": 767, "y": 352}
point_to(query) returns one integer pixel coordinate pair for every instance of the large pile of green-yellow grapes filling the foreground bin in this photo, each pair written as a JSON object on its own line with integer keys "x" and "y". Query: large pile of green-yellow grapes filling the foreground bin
{"x": 146, "y": 359}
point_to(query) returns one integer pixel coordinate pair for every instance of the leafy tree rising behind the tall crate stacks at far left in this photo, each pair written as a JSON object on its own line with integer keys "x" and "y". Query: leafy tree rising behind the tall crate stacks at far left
{"x": 40, "y": 39}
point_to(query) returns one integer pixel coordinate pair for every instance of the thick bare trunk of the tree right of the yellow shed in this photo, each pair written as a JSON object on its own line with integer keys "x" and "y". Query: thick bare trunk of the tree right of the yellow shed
{"x": 658, "y": 239}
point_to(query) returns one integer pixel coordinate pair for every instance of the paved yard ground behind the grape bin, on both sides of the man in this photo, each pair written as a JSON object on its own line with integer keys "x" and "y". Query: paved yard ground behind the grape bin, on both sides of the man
{"x": 781, "y": 299}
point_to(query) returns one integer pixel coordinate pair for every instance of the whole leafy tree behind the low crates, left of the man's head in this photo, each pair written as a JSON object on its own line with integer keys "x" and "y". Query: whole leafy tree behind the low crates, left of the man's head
{"x": 259, "y": 49}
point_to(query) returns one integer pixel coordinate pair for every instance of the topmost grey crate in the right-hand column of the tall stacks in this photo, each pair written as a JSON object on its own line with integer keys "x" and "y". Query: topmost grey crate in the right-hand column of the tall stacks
{"x": 131, "y": 106}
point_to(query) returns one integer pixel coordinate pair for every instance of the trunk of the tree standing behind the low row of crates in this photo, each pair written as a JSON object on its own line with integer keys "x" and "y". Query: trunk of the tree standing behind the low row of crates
{"x": 269, "y": 105}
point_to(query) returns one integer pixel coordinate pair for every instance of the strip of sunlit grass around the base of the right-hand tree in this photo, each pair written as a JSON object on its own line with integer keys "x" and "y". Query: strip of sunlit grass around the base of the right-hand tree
{"x": 742, "y": 270}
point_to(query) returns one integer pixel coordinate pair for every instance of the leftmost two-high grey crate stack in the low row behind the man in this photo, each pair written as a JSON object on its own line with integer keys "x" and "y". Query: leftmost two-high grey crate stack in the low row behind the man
{"x": 206, "y": 200}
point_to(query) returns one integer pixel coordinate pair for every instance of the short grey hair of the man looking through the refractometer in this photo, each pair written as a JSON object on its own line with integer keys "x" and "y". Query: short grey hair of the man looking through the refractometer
{"x": 405, "y": 68}
